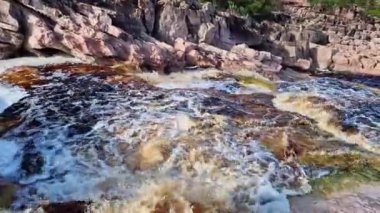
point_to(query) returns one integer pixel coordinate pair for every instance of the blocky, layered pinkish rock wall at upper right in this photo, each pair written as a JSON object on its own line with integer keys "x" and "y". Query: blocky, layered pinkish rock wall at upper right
{"x": 343, "y": 40}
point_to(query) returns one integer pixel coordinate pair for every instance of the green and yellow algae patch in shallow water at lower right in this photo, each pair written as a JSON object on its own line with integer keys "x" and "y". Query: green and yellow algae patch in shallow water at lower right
{"x": 349, "y": 170}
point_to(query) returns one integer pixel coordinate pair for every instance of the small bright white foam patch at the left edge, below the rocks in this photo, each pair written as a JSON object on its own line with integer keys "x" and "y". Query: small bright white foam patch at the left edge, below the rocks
{"x": 10, "y": 95}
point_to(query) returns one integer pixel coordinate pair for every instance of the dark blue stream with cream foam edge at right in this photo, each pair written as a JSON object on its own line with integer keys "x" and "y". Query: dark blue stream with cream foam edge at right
{"x": 341, "y": 108}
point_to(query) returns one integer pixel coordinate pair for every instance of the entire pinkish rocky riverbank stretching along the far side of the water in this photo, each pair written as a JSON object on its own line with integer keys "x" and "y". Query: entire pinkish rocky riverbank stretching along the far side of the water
{"x": 168, "y": 36}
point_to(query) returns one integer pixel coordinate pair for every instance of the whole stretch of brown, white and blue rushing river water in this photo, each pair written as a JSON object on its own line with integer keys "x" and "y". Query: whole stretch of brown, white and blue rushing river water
{"x": 199, "y": 144}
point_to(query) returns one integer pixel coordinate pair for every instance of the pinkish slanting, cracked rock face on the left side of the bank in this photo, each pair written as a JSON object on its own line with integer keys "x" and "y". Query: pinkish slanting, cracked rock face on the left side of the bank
{"x": 142, "y": 34}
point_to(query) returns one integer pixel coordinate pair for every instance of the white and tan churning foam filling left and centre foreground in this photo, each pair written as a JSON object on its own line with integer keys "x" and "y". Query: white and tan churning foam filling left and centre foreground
{"x": 203, "y": 149}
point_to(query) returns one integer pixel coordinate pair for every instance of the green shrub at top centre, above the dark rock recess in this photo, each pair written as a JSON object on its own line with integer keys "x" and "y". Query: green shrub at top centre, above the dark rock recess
{"x": 246, "y": 7}
